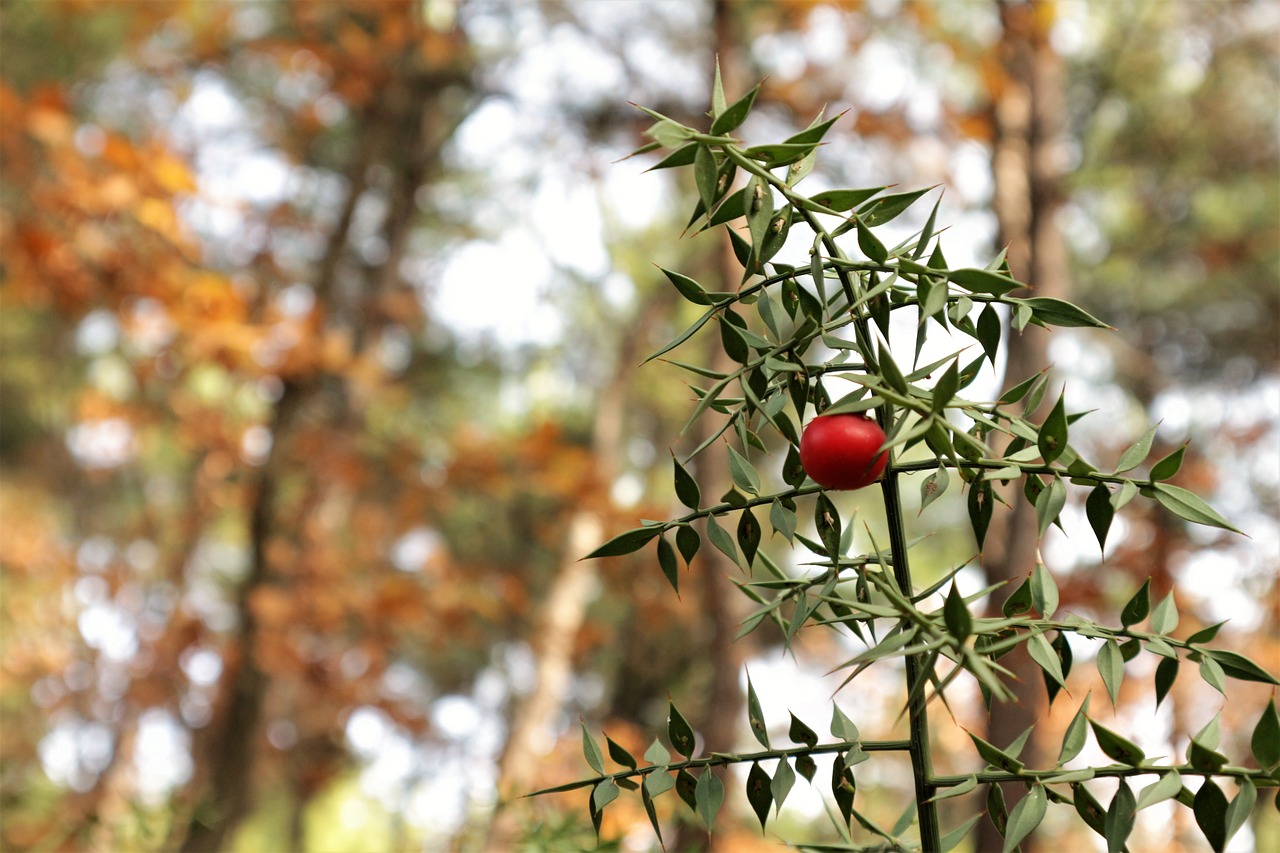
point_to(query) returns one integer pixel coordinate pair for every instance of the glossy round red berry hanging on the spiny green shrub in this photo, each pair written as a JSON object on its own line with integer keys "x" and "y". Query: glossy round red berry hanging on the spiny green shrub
{"x": 839, "y": 451}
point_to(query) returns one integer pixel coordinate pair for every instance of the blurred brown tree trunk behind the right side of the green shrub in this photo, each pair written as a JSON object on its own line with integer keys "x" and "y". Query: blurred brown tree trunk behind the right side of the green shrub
{"x": 1028, "y": 175}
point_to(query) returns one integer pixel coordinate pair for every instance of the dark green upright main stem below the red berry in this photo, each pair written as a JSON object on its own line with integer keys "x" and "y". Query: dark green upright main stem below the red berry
{"x": 922, "y": 760}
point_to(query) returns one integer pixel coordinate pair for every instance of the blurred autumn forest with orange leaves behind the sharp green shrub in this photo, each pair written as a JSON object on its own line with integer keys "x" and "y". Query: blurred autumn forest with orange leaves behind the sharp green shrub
{"x": 321, "y": 330}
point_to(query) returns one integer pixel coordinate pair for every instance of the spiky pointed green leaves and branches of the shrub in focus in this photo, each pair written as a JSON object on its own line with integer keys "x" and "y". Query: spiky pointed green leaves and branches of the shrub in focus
{"x": 830, "y": 321}
